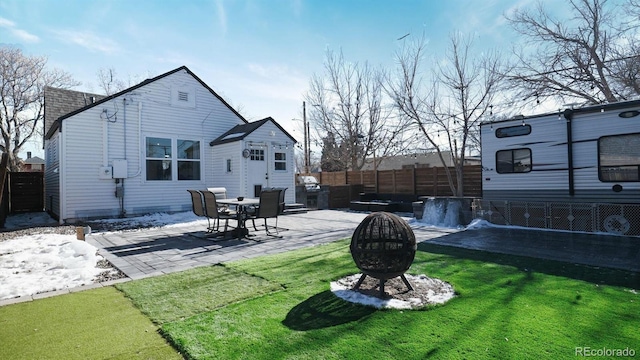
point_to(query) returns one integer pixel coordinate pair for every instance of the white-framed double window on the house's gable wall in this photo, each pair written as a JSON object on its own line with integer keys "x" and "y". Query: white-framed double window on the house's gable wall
{"x": 165, "y": 154}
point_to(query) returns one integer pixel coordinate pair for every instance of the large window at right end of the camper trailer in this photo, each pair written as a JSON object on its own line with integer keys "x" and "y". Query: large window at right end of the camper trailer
{"x": 619, "y": 158}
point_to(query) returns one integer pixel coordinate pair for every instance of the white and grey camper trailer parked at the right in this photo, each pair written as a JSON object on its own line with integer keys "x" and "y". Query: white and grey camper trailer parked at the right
{"x": 577, "y": 169}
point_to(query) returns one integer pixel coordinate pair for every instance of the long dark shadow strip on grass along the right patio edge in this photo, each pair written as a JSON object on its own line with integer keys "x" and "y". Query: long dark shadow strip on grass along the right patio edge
{"x": 596, "y": 275}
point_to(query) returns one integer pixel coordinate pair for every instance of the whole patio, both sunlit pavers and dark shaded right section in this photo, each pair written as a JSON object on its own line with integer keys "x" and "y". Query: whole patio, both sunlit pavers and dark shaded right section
{"x": 159, "y": 251}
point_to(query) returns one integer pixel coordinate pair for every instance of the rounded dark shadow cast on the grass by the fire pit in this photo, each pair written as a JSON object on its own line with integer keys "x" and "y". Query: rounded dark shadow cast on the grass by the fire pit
{"x": 324, "y": 310}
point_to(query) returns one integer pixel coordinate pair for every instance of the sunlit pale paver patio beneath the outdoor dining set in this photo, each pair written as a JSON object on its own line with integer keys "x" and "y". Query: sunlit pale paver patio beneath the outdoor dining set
{"x": 153, "y": 252}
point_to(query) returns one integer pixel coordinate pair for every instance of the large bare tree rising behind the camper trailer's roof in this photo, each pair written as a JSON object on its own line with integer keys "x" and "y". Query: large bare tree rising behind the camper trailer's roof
{"x": 585, "y": 57}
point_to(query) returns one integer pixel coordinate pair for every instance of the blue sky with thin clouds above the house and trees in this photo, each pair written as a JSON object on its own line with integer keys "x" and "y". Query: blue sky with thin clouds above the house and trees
{"x": 259, "y": 55}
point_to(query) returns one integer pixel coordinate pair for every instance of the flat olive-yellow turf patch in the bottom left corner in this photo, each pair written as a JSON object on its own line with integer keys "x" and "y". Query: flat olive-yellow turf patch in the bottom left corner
{"x": 95, "y": 324}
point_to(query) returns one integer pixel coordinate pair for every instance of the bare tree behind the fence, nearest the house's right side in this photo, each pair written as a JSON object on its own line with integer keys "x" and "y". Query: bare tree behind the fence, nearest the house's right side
{"x": 347, "y": 103}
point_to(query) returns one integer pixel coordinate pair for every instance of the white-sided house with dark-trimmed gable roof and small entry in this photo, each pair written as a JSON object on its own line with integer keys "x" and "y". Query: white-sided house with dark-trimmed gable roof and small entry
{"x": 138, "y": 151}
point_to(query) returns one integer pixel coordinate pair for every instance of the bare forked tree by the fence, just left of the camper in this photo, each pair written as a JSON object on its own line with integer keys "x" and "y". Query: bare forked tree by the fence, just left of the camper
{"x": 447, "y": 110}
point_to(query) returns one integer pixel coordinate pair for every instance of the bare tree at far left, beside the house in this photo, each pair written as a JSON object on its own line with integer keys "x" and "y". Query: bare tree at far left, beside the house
{"x": 22, "y": 82}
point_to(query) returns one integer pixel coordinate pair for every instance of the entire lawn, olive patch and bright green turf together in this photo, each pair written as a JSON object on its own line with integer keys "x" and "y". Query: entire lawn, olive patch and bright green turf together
{"x": 280, "y": 307}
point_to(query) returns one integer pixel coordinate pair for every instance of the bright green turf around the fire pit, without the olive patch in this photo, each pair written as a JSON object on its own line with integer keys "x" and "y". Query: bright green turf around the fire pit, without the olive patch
{"x": 507, "y": 307}
